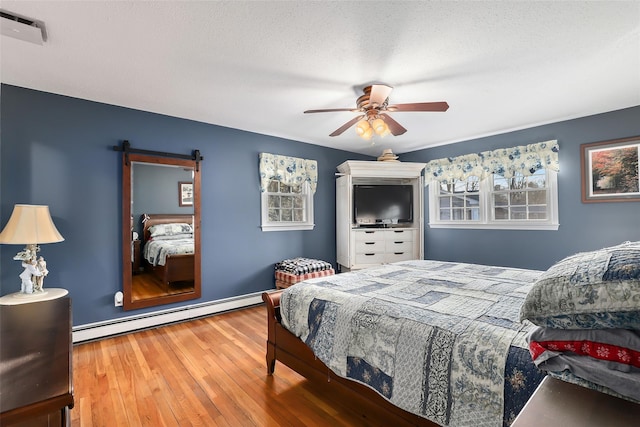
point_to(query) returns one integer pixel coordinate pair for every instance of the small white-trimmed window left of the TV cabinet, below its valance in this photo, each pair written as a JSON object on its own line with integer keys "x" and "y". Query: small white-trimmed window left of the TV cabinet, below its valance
{"x": 287, "y": 207}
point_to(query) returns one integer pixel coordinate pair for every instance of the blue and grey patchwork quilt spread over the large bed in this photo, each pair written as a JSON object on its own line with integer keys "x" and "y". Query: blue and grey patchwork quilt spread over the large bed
{"x": 438, "y": 339}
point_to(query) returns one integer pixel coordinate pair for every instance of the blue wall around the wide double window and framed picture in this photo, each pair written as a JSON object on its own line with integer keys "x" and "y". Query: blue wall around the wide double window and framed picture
{"x": 582, "y": 226}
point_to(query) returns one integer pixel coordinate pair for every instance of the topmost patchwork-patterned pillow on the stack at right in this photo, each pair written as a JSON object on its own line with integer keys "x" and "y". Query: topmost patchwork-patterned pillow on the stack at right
{"x": 589, "y": 290}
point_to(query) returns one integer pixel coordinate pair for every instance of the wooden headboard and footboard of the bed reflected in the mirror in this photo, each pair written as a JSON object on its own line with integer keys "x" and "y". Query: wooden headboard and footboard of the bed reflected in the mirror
{"x": 177, "y": 268}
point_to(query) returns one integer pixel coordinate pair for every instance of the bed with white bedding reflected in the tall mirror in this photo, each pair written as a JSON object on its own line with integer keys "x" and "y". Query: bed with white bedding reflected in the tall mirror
{"x": 169, "y": 255}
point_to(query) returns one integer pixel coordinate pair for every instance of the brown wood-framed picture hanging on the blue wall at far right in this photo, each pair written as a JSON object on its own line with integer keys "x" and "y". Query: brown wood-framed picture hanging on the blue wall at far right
{"x": 610, "y": 171}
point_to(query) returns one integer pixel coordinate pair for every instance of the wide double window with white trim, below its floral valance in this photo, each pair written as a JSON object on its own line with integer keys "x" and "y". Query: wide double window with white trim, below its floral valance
{"x": 524, "y": 202}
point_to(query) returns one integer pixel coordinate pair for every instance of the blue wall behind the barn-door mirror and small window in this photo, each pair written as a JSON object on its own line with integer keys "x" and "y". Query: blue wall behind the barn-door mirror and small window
{"x": 58, "y": 151}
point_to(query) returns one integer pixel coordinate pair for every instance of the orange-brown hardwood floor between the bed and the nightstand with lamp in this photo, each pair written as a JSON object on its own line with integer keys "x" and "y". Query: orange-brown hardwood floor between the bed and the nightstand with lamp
{"x": 206, "y": 372}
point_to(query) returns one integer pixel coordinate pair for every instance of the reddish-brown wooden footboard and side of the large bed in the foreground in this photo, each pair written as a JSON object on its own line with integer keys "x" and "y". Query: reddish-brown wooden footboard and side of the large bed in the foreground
{"x": 285, "y": 347}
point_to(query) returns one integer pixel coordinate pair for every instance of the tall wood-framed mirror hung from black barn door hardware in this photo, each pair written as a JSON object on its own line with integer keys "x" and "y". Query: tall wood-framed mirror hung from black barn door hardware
{"x": 161, "y": 228}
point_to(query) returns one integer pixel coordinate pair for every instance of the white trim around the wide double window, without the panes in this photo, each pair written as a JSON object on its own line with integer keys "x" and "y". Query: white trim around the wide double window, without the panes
{"x": 486, "y": 209}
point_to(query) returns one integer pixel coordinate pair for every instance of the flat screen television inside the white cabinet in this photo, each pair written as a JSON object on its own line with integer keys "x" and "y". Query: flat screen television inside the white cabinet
{"x": 382, "y": 205}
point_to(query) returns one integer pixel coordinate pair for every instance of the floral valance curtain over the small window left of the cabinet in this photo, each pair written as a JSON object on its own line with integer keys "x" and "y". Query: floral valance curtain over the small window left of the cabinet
{"x": 288, "y": 170}
